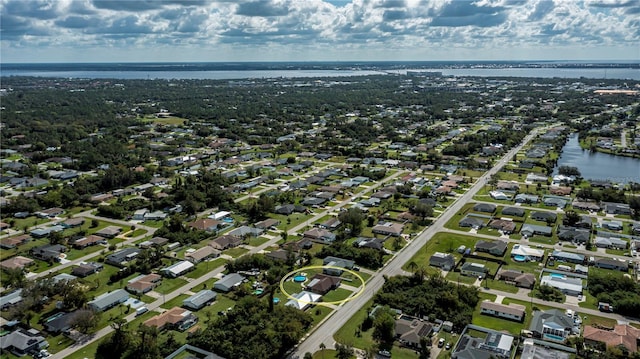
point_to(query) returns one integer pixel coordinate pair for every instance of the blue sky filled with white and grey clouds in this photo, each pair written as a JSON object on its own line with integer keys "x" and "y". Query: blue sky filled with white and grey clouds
{"x": 308, "y": 30}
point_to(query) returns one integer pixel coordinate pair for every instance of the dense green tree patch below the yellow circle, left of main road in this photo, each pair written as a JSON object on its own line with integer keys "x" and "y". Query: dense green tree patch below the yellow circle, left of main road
{"x": 251, "y": 331}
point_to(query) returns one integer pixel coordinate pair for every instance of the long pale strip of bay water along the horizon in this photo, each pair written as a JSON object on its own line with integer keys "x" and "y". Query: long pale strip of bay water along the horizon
{"x": 188, "y": 71}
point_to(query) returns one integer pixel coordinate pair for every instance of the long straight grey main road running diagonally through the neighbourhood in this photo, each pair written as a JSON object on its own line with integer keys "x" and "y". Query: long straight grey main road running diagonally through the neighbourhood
{"x": 324, "y": 333}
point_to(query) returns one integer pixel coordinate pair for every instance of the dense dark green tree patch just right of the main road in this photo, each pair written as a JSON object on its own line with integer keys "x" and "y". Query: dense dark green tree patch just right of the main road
{"x": 434, "y": 297}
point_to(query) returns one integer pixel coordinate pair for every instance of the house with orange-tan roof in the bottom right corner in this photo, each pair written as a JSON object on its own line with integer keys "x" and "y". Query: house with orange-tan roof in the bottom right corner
{"x": 622, "y": 335}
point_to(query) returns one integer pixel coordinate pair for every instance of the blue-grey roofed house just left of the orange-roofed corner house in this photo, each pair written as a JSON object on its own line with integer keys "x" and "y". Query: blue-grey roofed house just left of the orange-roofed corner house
{"x": 551, "y": 325}
